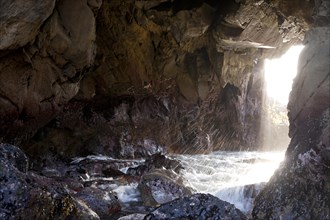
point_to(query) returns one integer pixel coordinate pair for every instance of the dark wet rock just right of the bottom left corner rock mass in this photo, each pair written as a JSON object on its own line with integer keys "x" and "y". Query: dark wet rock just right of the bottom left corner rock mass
{"x": 100, "y": 201}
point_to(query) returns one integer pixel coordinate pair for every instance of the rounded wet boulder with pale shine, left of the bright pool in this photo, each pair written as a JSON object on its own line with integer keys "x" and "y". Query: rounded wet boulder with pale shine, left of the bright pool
{"x": 161, "y": 186}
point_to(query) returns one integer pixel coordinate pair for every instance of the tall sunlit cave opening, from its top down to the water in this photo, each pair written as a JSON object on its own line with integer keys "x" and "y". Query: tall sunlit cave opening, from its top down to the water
{"x": 279, "y": 74}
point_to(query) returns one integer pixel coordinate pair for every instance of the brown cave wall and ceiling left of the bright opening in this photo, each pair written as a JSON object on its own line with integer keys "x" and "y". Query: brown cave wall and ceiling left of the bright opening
{"x": 182, "y": 75}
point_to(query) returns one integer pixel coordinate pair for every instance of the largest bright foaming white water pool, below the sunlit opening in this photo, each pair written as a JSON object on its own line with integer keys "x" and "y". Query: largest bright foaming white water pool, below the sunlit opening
{"x": 230, "y": 175}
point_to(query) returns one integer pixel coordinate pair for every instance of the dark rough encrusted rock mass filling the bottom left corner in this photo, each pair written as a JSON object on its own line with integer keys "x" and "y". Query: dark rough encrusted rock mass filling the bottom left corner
{"x": 26, "y": 195}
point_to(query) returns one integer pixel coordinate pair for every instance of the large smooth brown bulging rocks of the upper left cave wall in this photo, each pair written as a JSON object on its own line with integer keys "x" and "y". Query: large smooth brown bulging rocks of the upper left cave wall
{"x": 51, "y": 55}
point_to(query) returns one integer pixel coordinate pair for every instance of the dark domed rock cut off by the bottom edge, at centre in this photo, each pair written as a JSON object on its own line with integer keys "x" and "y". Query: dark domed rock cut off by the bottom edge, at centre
{"x": 197, "y": 206}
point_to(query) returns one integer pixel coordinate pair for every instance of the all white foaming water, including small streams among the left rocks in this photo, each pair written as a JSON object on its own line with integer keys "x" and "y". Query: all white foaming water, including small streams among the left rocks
{"x": 222, "y": 174}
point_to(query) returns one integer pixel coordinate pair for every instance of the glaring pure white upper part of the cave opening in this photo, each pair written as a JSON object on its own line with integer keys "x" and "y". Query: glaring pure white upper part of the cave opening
{"x": 279, "y": 74}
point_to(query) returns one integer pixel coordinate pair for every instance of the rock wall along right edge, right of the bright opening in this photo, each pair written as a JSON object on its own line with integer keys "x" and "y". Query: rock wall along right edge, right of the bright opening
{"x": 301, "y": 187}
